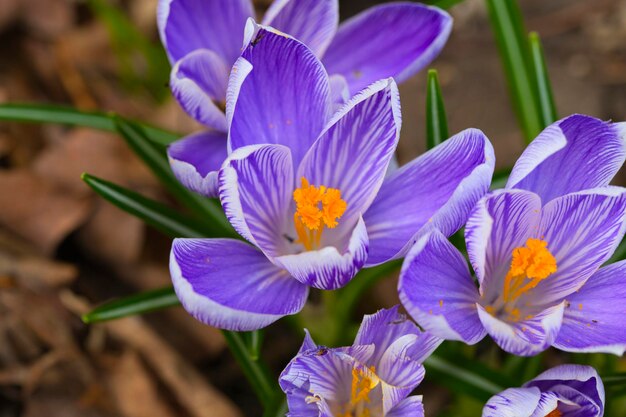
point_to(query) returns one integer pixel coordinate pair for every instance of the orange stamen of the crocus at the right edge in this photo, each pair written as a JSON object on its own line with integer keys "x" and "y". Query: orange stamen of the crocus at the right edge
{"x": 530, "y": 265}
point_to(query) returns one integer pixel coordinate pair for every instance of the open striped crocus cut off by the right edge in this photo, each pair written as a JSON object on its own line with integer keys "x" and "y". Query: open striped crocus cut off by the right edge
{"x": 536, "y": 248}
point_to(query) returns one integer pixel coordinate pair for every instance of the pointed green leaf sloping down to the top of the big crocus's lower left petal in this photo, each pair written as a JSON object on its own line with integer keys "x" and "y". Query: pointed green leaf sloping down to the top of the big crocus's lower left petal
{"x": 161, "y": 217}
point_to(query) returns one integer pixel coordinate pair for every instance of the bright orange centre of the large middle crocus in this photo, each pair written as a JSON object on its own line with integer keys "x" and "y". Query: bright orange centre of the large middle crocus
{"x": 316, "y": 208}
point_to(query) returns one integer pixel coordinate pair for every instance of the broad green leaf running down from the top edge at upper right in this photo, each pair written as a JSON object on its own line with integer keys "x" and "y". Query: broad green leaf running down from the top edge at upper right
{"x": 508, "y": 27}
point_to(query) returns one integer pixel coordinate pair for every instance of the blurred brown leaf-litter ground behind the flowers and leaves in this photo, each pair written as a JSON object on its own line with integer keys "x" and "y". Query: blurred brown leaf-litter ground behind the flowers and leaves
{"x": 64, "y": 250}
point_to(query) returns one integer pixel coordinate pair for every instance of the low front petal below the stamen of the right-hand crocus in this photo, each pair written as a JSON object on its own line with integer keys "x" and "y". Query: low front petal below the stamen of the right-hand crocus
{"x": 526, "y": 337}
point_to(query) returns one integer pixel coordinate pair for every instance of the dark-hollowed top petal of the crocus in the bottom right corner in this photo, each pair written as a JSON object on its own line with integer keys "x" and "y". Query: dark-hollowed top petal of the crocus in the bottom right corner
{"x": 581, "y": 378}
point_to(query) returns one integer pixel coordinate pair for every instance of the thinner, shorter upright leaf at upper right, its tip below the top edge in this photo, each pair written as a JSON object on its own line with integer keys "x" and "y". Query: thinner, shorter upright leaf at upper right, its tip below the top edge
{"x": 544, "y": 88}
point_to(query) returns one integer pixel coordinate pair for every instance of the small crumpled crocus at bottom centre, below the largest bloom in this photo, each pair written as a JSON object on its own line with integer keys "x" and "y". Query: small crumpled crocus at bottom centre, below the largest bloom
{"x": 373, "y": 377}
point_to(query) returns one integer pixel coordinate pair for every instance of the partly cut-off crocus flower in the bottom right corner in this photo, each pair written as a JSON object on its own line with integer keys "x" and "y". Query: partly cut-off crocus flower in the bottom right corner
{"x": 563, "y": 391}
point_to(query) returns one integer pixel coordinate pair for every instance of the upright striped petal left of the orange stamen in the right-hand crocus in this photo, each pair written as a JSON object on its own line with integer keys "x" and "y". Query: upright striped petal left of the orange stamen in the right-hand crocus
{"x": 500, "y": 222}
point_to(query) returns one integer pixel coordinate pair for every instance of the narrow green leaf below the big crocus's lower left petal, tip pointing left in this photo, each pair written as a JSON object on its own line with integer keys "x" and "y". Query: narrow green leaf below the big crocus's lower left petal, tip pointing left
{"x": 141, "y": 303}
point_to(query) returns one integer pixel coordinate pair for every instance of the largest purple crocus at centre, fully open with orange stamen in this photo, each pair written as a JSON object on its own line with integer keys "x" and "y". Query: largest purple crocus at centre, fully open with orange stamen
{"x": 307, "y": 189}
